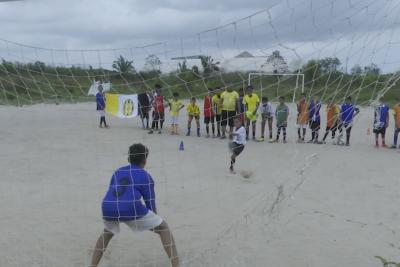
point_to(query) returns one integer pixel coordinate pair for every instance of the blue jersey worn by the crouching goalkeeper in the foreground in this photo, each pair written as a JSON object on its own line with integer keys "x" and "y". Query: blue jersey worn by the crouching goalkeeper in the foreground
{"x": 130, "y": 195}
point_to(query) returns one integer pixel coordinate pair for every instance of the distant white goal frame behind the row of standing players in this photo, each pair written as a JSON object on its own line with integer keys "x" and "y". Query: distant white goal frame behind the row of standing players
{"x": 299, "y": 83}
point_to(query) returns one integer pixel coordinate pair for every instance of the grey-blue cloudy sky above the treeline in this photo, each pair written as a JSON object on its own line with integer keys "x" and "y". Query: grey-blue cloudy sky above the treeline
{"x": 355, "y": 31}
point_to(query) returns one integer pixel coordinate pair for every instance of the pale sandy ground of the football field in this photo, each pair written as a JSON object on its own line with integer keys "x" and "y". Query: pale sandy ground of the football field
{"x": 306, "y": 205}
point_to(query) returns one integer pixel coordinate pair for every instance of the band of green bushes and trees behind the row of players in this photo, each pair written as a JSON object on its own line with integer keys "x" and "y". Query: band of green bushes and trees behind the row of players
{"x": 37, "y": 82}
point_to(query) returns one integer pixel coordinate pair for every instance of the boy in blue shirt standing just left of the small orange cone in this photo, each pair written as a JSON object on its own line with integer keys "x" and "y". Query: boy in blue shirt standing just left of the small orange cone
{"x": 347, "y": 114}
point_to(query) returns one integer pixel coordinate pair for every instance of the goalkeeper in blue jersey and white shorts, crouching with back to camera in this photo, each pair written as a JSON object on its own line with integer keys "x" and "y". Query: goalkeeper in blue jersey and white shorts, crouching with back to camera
{"x": 130, "y": 200}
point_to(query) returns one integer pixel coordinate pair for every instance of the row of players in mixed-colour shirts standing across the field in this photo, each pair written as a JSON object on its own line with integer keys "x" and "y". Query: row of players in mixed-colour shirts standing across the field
{"x": 222, "y": 106}
